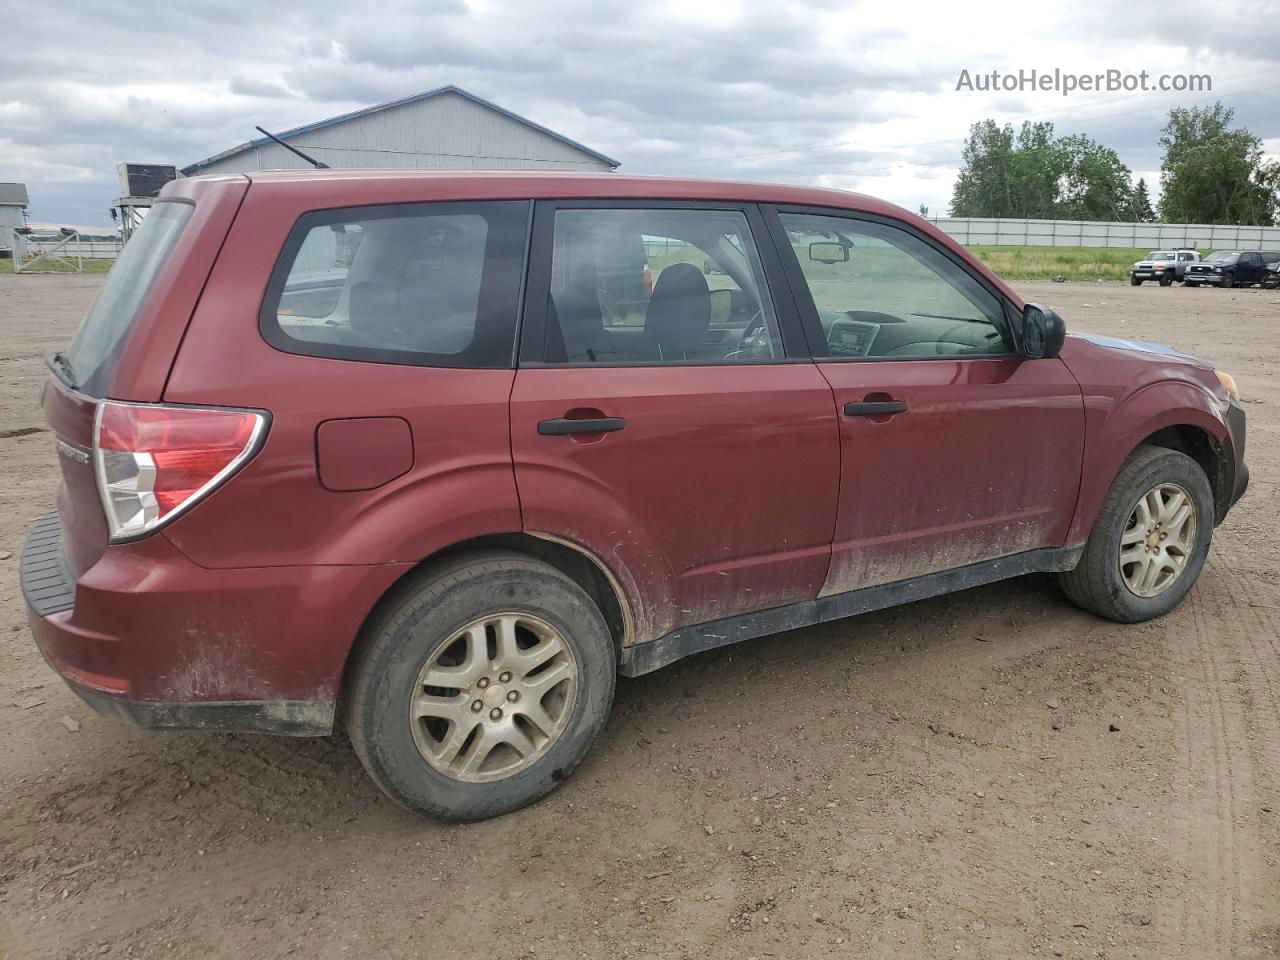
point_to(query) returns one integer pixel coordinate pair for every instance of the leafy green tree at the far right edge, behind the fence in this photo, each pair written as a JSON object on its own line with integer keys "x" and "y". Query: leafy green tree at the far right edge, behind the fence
{"x": 1215, "y": 175}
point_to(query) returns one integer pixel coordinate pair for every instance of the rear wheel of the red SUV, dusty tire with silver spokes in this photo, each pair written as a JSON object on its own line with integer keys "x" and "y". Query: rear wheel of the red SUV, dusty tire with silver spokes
{"x": 414, "y": 629}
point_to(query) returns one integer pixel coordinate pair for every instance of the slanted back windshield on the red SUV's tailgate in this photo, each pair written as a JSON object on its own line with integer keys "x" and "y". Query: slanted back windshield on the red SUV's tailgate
{"x": 97, "y": 349}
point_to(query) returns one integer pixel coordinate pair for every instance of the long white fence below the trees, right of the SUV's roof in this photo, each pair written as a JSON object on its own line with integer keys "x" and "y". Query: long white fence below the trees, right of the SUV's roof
{"x": 1094, "y": 234}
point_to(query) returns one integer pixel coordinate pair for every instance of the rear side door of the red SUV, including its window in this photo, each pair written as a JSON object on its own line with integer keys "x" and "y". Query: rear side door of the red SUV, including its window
{"x": 664, "y": 415}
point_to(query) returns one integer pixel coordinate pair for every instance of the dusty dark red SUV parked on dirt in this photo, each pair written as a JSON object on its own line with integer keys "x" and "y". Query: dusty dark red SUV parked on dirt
{"x": 427, "y": 451}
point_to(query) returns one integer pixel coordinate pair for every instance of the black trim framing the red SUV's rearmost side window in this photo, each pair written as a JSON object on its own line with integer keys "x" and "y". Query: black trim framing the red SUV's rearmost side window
{"x": 276, "y": 337}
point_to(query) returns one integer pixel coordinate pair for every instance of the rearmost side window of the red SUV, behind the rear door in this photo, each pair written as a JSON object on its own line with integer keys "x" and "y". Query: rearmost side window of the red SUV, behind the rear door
{"x": 432, "y": 285}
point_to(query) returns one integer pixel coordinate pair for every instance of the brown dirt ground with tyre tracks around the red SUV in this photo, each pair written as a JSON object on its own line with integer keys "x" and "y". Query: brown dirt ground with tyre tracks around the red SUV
{"x": 932, "y": 781}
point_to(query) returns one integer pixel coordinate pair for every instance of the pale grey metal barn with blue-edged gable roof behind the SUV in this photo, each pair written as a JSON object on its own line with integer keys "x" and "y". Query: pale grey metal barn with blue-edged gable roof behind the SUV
{"x": 447, "y": 127}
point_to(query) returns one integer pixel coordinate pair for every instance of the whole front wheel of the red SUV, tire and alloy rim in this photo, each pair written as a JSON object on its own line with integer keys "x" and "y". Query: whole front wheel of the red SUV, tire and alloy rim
{"x": 1149, "y": 542}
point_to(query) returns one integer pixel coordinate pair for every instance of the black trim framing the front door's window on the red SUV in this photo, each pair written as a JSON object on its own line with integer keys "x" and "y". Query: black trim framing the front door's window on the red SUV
{"x": 808, "y": 310}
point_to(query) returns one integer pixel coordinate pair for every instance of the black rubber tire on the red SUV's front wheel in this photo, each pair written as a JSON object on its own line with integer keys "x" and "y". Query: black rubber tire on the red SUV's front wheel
{"x": 1098, "y": 583}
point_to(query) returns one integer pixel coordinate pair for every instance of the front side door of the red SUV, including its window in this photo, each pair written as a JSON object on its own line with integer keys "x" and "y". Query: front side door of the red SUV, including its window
{"x": 954, "y": 449}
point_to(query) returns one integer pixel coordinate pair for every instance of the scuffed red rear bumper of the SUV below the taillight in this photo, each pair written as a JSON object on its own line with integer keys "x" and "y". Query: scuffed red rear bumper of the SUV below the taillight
{"x": 149, "y": 637}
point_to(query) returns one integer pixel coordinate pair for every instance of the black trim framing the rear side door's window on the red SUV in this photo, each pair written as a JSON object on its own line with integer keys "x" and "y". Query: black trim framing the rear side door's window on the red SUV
{"x": 532, "y": 336}
